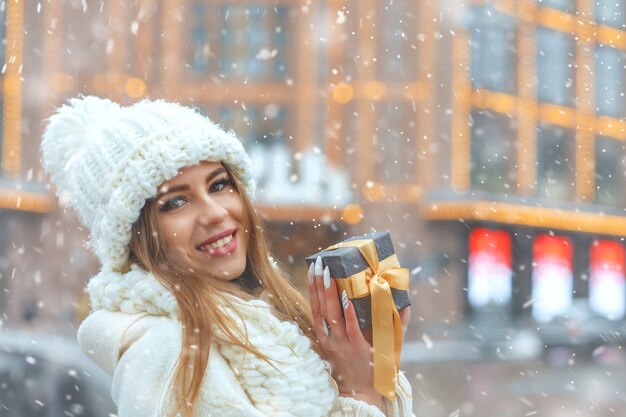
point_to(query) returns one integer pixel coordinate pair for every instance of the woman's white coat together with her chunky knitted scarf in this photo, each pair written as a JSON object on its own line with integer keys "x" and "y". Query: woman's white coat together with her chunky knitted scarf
{"x": 140, "y": 349}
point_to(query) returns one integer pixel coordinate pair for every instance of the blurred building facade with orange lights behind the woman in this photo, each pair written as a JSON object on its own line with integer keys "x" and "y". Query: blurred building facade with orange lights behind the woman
{"x": 487, "y": 136}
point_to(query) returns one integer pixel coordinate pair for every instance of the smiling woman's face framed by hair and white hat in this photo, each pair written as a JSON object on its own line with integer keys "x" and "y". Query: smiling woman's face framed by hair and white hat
{"x": 200, "y": 215}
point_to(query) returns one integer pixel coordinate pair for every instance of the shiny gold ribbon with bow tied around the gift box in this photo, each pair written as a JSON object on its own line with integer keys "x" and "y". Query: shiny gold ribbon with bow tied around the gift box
{"x": 377, "y": 281}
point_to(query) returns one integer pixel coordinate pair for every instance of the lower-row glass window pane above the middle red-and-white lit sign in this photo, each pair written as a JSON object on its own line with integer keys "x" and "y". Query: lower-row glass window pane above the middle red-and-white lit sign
{"x": 555, "y": 163}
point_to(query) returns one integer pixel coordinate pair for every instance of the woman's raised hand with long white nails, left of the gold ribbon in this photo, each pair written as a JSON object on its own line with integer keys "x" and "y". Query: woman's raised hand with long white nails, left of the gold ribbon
{"x": 341, "y": 340}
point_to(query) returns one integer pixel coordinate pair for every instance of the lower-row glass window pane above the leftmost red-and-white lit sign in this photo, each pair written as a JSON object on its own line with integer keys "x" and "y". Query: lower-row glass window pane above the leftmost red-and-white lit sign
{"x": 493, "y": 152}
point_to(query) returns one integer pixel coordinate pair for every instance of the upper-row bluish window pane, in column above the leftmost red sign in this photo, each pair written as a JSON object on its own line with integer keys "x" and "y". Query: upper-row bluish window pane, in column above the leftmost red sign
{"x": 493, "y": 50}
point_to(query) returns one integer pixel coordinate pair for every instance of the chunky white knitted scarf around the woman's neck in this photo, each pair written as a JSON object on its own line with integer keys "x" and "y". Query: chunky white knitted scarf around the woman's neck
{"x": 300, "y": 385}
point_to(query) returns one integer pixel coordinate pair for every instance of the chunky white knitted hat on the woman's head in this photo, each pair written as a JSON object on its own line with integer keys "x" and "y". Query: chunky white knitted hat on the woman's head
{"x": 107, "y": 160}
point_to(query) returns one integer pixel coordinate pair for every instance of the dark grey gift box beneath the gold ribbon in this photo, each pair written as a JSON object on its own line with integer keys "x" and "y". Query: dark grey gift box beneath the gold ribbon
{"x": 347, "y": 261}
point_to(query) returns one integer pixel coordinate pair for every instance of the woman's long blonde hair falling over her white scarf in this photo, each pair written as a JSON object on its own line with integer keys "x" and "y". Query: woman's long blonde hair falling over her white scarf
{"x": 198, "y": 297}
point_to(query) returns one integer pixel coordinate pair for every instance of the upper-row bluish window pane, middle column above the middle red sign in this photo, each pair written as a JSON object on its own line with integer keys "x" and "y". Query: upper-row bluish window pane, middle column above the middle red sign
{"x": 555, "y": 67}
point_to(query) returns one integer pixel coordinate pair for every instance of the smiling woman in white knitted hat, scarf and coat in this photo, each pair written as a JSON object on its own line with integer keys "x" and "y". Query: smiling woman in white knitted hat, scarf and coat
{"x": 189, "y": 314}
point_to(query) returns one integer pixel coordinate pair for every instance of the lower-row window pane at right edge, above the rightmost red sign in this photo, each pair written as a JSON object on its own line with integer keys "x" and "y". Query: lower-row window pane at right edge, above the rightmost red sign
{"x": 610, "y": 171}
